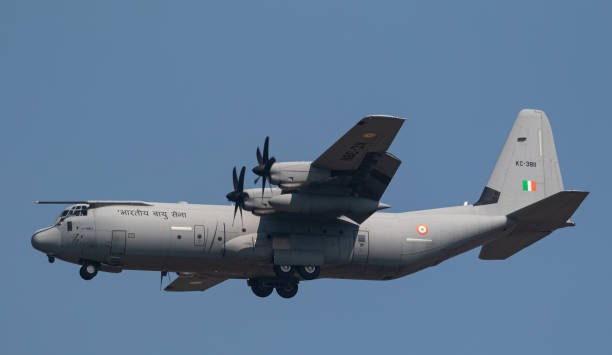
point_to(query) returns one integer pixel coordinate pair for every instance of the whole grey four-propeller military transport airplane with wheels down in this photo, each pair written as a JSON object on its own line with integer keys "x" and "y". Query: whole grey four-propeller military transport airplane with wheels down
{"x": 321, "y": 220}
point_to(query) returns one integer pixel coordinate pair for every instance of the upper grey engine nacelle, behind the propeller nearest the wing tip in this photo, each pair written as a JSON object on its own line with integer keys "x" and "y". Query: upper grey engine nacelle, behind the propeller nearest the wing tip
{"x": 293, "y": 175}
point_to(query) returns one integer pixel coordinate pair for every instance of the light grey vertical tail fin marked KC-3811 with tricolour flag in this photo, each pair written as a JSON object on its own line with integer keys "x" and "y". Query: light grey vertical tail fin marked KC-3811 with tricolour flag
{"x": 527, "y": 169}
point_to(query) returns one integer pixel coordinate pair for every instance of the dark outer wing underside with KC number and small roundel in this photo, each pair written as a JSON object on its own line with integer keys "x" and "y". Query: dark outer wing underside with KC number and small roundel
{"x": 372, "y": 134}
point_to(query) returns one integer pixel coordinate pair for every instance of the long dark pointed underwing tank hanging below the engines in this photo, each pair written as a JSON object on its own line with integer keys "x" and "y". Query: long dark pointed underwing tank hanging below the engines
{"x": 323, "y": 204}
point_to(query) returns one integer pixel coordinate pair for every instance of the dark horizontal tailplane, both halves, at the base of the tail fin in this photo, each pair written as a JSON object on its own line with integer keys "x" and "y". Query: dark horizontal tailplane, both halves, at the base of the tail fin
{"x": 533, "y": 223}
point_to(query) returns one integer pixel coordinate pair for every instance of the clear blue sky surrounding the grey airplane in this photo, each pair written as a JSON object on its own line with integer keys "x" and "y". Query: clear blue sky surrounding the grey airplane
{"x": 158, "y": 100}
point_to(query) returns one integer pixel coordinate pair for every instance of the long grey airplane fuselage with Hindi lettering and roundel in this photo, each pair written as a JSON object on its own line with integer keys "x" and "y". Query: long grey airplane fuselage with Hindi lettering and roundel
{"x": 205, "y": 239}
